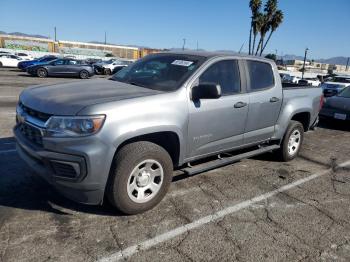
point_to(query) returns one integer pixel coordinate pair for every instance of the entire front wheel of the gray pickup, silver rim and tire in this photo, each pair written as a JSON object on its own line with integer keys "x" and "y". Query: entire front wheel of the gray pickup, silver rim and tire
{"x": 140, "y": 177}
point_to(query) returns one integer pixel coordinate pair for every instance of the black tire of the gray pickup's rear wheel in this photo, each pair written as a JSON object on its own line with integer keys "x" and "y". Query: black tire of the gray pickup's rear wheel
{"x": 286, "y": 152}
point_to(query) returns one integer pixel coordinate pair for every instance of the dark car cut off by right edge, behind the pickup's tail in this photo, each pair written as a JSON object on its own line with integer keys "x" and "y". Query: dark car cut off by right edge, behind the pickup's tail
{"x": 337, "y": 106}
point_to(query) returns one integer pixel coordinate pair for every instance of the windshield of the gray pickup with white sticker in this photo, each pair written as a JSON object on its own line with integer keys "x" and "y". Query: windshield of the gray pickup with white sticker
{"x": 163, "y": 72}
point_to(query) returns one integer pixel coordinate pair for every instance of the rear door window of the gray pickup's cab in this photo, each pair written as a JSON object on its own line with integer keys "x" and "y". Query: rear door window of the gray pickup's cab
{"x": 260, "y": 75}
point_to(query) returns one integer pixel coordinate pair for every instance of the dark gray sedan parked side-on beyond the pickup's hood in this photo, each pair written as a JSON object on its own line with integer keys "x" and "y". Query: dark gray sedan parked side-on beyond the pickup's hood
{"x": 62, "y": 67}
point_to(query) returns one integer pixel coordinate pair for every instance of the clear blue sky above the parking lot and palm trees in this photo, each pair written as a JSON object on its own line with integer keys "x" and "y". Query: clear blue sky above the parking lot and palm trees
{"x": 322, "y": 26}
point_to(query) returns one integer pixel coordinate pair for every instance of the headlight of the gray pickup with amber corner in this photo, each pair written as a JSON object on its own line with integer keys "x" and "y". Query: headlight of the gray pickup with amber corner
{"x": 61, "y": 126}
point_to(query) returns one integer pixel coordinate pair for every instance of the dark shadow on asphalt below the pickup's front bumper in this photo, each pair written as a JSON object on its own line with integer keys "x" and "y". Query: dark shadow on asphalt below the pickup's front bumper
{"x": 22, "y": 189}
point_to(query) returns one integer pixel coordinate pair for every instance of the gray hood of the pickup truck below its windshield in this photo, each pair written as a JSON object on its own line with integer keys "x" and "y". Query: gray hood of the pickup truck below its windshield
{"x": 69, "y": 98}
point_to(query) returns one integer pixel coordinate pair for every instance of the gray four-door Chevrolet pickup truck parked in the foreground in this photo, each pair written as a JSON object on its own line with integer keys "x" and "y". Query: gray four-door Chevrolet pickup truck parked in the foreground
{"x": 122, "y": 137}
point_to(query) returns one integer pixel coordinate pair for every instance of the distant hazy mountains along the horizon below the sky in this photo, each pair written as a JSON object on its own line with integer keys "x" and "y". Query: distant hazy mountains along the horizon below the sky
{"x": 339, "y": 60}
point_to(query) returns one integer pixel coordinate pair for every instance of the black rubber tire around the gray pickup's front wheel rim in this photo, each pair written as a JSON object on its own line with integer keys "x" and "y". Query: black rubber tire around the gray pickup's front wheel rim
{"x": 127, "y": 160}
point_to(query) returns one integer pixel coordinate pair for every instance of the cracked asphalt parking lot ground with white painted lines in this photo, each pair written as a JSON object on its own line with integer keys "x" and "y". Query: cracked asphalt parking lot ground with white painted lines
{"x": 256, "y": 210}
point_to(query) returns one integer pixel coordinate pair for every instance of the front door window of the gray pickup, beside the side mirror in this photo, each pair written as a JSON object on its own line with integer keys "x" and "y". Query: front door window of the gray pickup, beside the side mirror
{"x": 226, "y": 74}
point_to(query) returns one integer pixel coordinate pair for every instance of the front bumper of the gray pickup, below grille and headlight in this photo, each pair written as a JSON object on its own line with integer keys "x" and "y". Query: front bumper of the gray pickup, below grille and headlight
{"x": 79, "y": 176}
